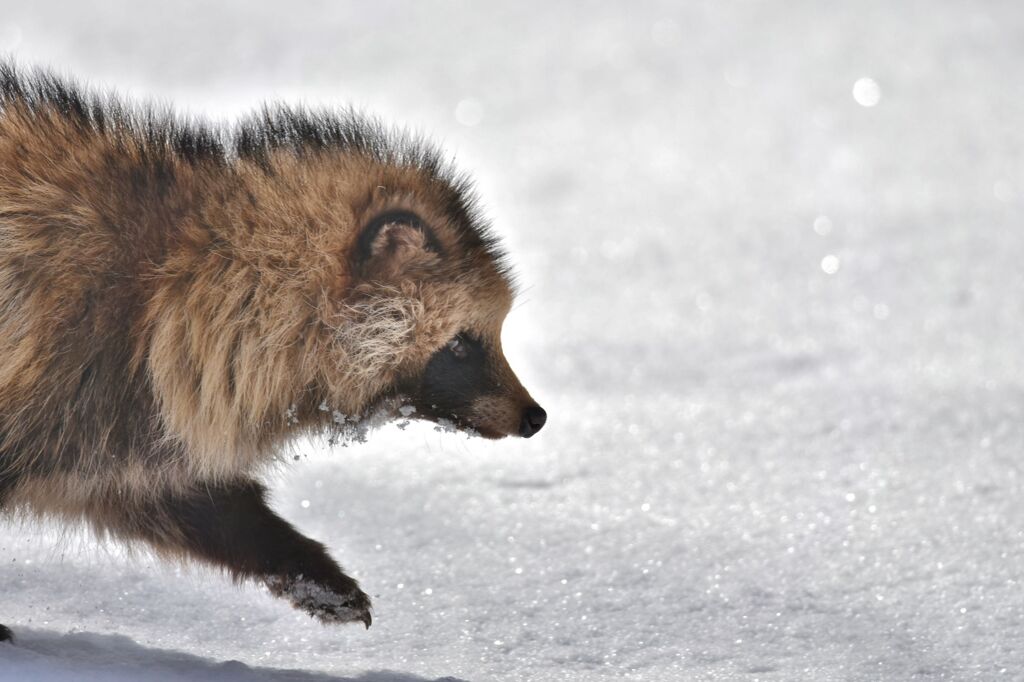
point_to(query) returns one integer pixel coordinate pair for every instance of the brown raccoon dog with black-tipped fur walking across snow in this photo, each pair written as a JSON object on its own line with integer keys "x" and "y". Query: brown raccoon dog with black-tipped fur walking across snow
{"x": 180, "y": 302}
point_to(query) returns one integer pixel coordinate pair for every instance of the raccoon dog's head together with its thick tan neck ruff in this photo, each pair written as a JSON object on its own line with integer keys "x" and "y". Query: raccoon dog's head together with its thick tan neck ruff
{"x": 328, "y": 267}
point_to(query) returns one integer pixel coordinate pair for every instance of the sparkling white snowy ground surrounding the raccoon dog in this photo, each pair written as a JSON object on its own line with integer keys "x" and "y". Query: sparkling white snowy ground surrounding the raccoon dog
{"x": 779, "y": 333}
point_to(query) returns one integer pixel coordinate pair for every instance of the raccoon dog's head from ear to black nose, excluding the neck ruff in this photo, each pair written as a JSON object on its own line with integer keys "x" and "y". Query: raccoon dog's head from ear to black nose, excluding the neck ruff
{"x": 424, "y": 315}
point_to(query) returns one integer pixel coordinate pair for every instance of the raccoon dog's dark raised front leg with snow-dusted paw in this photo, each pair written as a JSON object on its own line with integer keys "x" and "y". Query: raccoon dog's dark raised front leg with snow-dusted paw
{"x": 231, "y": 526}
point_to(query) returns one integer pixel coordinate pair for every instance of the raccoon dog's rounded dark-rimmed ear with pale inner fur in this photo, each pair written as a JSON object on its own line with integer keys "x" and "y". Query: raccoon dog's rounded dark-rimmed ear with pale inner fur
{"x": 395, "y": 243}
